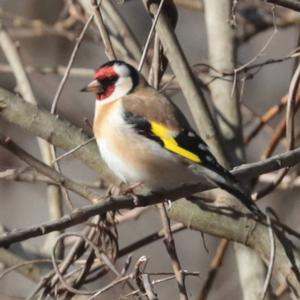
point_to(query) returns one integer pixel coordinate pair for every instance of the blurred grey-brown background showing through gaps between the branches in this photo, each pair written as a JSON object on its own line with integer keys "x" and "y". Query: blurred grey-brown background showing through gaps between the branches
{"x": 23, "y": 204}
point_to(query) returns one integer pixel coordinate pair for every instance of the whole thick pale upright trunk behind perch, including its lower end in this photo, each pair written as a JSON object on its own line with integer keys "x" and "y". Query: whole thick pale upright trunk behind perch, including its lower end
{"x": 222, "y": 52}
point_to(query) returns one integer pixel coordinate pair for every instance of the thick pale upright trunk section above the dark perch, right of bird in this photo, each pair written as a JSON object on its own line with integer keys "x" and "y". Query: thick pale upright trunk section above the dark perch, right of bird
{"x": 222, "y": 50}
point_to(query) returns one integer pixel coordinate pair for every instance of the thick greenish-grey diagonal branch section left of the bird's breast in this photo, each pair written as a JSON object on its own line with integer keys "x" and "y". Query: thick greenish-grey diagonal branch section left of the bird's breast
{"x": 56, "y": 131}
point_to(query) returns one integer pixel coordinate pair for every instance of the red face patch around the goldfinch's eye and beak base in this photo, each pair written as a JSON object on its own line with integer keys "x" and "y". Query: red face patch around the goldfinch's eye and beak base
{"x": 107, "y": 78}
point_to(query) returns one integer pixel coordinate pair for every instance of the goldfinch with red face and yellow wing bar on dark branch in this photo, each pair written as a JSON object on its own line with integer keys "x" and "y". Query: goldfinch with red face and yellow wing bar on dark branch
{"x": 144, "y": 138}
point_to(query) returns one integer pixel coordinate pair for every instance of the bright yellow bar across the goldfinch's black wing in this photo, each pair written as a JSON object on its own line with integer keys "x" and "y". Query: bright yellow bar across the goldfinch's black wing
{"x": 165, "y": 135}
